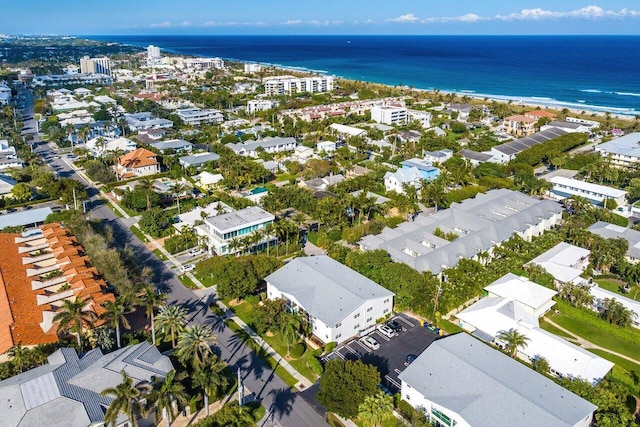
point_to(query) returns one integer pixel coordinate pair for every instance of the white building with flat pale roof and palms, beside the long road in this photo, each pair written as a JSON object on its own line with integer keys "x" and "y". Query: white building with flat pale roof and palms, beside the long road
{"x": 229, "y": 233}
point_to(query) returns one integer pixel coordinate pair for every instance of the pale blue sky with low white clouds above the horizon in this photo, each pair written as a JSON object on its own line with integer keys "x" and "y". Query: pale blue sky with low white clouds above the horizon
{"x": 91, "y": 17}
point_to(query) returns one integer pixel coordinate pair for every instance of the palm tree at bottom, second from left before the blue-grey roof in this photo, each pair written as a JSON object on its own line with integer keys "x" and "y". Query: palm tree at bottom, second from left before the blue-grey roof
{"x": 165, "y": 391}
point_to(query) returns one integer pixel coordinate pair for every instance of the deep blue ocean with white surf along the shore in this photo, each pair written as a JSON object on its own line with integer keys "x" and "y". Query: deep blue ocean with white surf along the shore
{"x": 598, "y": 73}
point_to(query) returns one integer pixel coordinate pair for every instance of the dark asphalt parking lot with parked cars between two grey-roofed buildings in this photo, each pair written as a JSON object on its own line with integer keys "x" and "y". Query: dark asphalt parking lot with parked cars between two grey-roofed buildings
{"x": 390, "y": 358}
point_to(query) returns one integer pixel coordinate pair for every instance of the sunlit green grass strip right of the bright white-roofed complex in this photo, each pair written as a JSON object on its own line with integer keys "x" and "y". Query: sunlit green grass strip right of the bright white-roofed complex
{"x": 596, "y": 335}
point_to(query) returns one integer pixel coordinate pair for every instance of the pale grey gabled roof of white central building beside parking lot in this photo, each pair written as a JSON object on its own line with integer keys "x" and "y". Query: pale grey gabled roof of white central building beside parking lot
{"x": 325, "y": 288}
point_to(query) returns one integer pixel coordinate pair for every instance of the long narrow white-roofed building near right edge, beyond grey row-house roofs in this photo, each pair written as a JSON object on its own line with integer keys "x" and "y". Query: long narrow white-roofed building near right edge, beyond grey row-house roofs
{"x": 595, "y": 193}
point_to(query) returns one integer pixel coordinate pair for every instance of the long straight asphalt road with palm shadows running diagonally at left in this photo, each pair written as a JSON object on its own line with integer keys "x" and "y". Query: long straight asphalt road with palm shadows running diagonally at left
{"x": 284, "y": 407}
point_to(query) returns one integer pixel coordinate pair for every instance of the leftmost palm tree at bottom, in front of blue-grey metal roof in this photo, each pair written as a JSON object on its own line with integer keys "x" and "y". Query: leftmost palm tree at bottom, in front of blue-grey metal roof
{"x": 127, "y": 399}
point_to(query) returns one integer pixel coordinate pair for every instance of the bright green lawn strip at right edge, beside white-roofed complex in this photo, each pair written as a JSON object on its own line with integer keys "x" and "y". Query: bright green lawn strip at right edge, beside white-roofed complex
{"x": 597, "y": 331}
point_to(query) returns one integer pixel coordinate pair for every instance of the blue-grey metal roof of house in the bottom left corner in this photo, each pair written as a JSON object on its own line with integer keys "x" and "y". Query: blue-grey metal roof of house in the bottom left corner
{"x": 66, "y": 390}
